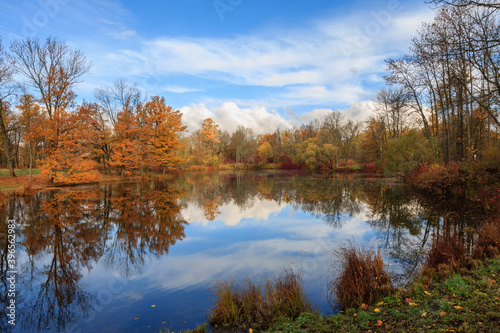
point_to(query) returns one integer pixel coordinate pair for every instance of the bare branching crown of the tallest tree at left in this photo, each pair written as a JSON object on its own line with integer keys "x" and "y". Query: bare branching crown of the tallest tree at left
{"x": 52, "y": 68}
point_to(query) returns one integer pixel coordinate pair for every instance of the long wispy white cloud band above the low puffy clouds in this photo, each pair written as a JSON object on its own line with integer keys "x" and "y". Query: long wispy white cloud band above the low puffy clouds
{"x": 324, "y": 64}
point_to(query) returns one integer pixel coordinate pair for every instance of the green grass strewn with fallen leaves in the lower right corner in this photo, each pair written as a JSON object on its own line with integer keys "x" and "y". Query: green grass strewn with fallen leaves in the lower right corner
{"x": 462, "y": 303}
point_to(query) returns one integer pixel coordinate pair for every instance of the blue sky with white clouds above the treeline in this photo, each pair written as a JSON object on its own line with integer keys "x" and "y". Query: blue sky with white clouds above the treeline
{"x": 264, "y": 64}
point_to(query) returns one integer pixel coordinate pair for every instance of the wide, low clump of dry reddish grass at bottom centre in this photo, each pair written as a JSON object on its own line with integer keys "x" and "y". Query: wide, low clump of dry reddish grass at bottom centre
{"x": 251, "y": 304}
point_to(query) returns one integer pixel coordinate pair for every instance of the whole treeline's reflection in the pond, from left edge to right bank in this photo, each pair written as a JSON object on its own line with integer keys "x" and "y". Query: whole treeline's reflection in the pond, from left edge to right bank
{"x": 65, "y": 233}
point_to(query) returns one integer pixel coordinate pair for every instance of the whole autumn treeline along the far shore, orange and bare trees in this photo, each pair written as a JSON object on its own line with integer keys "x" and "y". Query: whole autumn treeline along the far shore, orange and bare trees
{"x": 440, "y": 107}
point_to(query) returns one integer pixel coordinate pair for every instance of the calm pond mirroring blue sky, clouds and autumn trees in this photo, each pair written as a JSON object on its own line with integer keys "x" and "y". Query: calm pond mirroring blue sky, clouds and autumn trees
{"x": 137, "y": 257}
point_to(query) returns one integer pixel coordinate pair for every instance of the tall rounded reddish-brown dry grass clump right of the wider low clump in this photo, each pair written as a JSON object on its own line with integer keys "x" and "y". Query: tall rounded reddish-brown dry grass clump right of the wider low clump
{"x": 362, "y": 278}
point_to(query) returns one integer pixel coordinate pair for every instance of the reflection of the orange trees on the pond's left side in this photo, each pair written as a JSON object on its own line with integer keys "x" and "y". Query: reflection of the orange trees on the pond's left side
{"x": 65, "y": 233}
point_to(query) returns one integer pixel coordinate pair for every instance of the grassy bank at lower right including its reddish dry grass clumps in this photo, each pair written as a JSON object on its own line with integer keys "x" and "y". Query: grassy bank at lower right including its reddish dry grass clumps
{"x": 458, "y": 290}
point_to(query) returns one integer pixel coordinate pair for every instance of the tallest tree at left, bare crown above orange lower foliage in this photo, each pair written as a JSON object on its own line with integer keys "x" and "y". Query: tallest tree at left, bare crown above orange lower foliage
{"x": 52, "y": 69}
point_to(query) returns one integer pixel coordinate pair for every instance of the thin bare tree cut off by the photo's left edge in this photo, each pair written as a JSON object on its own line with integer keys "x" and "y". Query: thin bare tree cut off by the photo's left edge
{"x": 6, "y": 91}
